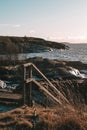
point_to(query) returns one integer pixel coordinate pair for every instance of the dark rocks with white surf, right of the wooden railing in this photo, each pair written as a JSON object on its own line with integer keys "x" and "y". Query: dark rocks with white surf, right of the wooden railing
{"x": 60, "y": 69}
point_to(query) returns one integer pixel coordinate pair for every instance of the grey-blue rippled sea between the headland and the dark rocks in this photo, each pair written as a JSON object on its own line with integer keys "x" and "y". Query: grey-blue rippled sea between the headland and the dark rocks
{"x": 76, "y": 52}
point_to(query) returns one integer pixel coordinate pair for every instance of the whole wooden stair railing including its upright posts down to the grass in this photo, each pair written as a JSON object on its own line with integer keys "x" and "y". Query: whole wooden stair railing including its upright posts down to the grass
{"x": 30, "y": 80}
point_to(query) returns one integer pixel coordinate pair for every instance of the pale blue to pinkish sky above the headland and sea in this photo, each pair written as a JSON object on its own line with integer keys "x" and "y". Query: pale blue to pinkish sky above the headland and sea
{"x": 57, "y": 20}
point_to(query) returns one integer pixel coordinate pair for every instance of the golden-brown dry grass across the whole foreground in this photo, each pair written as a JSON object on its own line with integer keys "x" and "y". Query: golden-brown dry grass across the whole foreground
{"x": 59, "y": 118}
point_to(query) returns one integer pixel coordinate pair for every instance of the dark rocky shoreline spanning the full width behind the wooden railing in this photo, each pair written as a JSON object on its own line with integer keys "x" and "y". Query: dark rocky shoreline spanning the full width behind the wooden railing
{"x": 52, "y": 68}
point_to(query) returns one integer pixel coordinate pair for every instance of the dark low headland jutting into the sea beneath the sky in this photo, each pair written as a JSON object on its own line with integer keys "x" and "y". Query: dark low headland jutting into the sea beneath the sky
{"x": 12, "y": 44}
